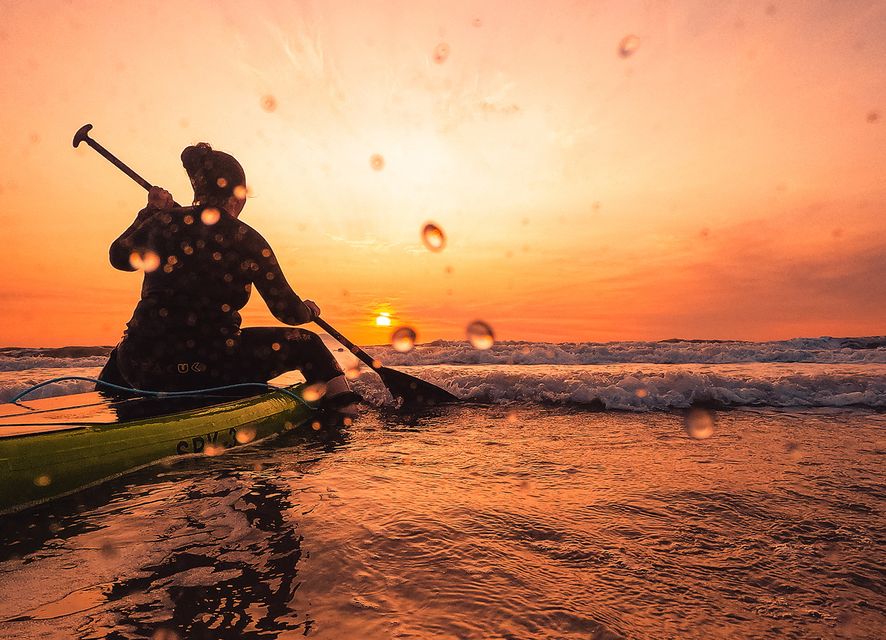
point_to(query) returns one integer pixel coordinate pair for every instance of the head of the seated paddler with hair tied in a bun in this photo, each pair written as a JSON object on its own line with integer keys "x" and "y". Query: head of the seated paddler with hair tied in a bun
{"x": 217, "y": 178}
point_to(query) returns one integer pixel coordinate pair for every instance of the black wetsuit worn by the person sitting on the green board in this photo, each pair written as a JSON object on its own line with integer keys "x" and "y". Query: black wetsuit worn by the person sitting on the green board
{"x": 200, "y": 266}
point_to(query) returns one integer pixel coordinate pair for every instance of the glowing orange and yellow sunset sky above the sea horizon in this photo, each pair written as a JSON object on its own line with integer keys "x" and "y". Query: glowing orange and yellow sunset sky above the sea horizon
{"x": 724, "y": 181}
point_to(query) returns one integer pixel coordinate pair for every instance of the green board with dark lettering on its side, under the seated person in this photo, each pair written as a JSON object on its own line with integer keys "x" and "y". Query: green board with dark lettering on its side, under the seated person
{"x": 55, "y": 446}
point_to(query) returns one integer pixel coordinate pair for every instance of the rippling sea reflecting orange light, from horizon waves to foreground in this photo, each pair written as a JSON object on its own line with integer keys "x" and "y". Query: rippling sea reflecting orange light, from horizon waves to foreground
{"x": 675, "y": 489}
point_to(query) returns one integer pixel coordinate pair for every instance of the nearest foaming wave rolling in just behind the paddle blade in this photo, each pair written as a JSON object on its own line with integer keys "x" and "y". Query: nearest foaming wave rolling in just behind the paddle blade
{"x": 657, "y": 387}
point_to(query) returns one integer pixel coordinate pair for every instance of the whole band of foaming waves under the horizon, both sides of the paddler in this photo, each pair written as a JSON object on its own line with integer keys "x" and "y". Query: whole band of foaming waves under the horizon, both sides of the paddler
{"x": 825, "y": 372}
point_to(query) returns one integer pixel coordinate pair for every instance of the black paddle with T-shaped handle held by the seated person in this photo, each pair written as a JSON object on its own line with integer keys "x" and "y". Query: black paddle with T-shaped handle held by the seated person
{"x": 410, "y": 389}
